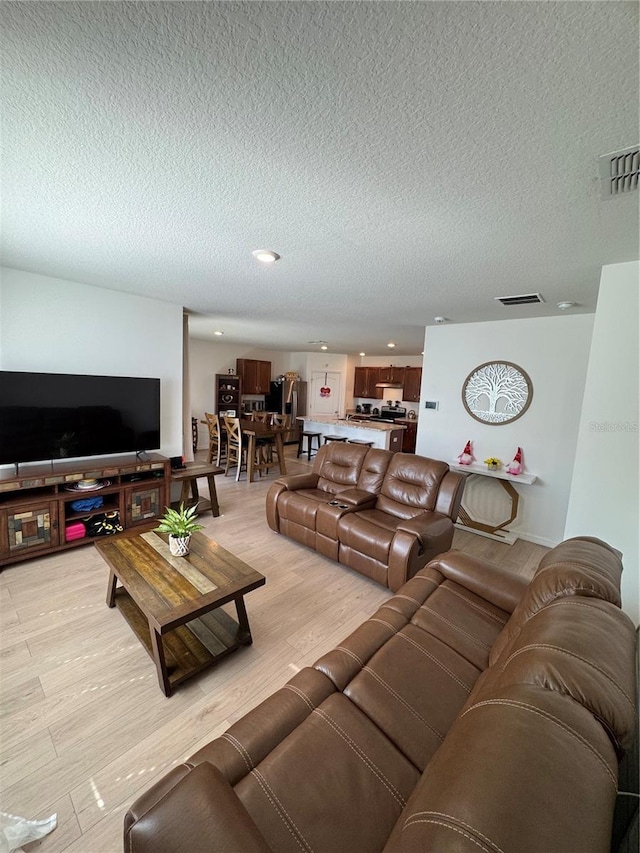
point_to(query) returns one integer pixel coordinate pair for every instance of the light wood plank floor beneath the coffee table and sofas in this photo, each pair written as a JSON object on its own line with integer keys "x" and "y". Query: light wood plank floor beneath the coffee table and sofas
{"x": 84, "y": 726}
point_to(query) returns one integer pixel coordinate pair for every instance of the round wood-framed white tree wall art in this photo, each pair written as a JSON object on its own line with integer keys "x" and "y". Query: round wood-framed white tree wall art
{"x": 497, "y": 392}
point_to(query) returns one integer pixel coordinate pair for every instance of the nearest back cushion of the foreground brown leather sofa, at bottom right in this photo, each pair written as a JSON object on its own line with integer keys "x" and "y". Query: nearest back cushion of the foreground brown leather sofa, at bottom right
{"x": 526, "y": 771}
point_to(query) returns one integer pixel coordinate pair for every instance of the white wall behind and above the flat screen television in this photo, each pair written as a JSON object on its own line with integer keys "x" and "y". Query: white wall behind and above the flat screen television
{"x": 54, "y": 326}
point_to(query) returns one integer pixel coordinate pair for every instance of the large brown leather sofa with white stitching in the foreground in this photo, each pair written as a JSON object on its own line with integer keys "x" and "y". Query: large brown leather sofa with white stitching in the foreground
{"x": 472, "y": 712}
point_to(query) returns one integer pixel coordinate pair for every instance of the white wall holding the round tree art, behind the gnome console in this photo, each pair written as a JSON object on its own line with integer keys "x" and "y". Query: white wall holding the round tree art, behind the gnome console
{"x": 554, "y": 352}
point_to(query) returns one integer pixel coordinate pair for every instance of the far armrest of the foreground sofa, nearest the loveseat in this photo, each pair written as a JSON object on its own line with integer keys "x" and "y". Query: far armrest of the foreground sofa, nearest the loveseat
{"x": 493, "y": 583}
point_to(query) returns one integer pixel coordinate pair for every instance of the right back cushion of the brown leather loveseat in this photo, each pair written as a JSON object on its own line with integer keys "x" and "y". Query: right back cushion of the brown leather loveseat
{"x": 410, "y": 485}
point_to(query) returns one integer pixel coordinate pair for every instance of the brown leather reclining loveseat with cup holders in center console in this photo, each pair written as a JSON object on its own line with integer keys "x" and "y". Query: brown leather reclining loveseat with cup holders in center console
{"x": 383, "y": 514}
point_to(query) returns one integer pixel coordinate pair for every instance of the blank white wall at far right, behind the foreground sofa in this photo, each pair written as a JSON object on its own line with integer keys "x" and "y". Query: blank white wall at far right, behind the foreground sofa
{"x": 604, "y": 490}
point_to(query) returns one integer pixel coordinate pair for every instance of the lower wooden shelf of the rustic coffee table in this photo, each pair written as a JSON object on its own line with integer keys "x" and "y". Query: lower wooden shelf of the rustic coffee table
{"x": 189, "y": 648}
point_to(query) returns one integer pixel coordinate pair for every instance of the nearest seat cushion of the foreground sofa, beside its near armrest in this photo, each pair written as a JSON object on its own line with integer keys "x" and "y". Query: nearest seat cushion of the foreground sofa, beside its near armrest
{"x": 335, "y": 783}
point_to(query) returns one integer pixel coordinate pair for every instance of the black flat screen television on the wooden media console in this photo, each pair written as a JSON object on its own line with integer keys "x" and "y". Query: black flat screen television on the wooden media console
{"x": 49, "y": 416}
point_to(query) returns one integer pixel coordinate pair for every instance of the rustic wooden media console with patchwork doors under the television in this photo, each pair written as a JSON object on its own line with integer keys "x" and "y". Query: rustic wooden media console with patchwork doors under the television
{"x": 36, "y": 510}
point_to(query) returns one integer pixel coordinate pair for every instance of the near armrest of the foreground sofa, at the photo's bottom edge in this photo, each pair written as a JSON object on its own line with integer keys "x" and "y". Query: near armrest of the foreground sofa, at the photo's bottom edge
{"x": 194, "y": 811}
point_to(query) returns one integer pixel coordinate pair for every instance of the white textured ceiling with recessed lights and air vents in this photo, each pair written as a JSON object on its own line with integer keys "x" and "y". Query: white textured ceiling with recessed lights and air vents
{"x": 407, "y": 160}
